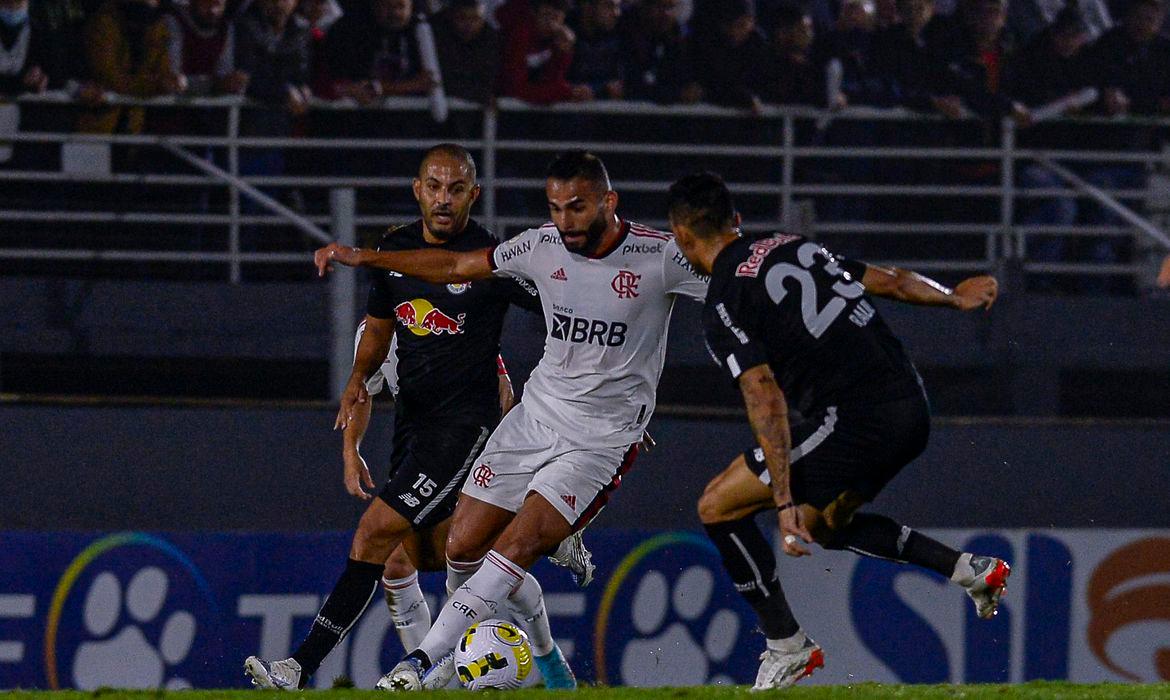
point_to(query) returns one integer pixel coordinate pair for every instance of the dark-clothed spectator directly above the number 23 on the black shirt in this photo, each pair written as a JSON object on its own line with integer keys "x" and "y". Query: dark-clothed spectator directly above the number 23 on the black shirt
{"x": 793, "y": 77}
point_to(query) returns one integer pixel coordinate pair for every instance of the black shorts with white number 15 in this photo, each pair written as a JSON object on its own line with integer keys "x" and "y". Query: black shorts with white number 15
{"x": 429, "y": 466}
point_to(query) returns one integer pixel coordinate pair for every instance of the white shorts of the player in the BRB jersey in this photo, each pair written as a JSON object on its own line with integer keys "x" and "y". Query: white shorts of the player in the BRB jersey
{"x": 524, "y": 456}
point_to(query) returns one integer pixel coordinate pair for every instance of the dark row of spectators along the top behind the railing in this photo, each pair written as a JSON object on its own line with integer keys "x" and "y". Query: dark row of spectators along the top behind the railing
{"x": 986, "y": 58}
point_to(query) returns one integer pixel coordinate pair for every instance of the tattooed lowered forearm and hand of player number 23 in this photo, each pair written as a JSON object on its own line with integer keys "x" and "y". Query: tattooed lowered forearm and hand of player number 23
{"x": 769, "y": 417}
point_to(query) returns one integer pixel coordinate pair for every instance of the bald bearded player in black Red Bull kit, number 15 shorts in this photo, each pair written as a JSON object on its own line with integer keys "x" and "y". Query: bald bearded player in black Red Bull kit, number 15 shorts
{"x": 448, "y": 404}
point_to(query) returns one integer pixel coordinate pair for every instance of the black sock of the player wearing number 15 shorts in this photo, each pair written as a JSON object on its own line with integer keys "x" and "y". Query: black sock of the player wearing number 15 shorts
{"x": 343, "y": 608}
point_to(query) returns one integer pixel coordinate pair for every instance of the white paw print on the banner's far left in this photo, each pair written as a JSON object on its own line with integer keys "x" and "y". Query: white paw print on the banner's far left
{"x": 121, "y": 655}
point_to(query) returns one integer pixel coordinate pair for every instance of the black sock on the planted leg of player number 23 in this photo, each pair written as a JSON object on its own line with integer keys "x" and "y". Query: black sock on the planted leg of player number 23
{"x": 749, "y": 560}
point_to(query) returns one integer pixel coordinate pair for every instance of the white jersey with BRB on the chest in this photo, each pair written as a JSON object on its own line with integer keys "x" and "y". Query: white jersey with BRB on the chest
{"x": 607, "y": 324}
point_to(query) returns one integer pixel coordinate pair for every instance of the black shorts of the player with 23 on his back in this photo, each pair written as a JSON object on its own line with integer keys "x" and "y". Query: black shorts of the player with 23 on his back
{"x": 858, "y": 449}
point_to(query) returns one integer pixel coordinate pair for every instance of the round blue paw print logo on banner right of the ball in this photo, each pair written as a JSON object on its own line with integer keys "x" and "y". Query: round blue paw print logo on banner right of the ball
{"x": 671, "y": 617}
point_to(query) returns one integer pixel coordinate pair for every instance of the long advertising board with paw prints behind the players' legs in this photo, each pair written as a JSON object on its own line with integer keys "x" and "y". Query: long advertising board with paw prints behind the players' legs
{"x": 185, "y": 609}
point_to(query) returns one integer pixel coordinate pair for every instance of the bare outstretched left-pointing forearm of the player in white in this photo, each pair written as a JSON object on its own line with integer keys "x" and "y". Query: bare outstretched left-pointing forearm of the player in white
{"x": 430, "y": 265}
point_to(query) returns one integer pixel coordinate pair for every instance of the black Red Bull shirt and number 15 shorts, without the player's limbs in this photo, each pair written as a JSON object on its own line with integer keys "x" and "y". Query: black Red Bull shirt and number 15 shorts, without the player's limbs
{"x": 449, "y": 399}
